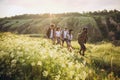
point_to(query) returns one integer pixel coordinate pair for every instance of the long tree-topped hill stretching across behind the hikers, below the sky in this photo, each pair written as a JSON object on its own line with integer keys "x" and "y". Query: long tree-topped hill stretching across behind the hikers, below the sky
{"x": 100, "y": 24}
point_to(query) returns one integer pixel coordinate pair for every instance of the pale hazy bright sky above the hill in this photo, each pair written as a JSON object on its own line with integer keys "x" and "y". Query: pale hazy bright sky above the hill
{"x": 17, "y": 7}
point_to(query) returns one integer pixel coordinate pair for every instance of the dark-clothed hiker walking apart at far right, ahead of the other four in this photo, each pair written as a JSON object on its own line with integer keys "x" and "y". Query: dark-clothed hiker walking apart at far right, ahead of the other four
{"x": 82, "y": 39}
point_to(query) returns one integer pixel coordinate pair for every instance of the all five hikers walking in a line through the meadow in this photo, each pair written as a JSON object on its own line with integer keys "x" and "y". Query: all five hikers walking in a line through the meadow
{"x": 59, "y": 36}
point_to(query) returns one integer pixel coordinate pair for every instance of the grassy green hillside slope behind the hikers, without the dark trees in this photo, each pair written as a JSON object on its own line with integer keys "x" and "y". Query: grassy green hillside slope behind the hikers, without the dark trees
{"x": 40, "y": 25}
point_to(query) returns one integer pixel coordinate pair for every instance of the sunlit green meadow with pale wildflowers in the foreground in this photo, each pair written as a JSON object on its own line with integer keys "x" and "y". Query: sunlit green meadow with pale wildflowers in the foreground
{"x": 27, "y": 58}
